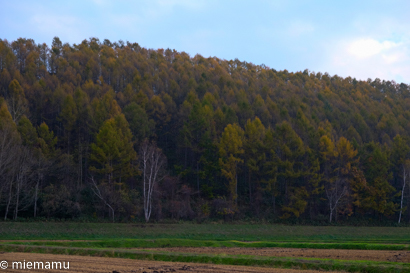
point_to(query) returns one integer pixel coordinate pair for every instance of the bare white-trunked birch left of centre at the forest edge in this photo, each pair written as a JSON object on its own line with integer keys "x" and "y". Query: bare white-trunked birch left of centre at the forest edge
{"x": 152, "y": 164}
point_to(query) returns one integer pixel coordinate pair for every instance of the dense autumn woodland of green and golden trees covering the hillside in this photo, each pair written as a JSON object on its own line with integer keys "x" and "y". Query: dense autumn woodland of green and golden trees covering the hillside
{"x": 82, "y": 127}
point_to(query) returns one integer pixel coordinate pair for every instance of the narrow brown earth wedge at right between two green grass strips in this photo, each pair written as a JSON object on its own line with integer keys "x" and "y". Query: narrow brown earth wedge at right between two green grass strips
{"x": 337, "y": 254}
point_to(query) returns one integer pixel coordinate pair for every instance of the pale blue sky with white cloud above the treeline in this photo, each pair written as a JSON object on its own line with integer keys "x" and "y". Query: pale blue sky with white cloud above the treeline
{"x": 360, "y": 39}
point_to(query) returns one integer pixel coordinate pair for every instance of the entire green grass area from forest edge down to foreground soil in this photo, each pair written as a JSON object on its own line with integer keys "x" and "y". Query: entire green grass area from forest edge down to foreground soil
{"x": 132, "y": 241}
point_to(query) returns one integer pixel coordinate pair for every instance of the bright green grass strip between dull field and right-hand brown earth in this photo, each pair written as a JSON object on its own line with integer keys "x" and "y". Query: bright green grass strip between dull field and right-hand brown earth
{"x": 158, "y": 243}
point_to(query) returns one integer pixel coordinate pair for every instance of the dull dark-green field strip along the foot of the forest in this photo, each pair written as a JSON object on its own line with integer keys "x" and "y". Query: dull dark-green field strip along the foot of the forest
{"x": 224, "y": 232}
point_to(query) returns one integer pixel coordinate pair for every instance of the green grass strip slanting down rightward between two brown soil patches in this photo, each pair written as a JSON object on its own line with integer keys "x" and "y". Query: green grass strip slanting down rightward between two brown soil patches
{"x": 302, "y": 263}
